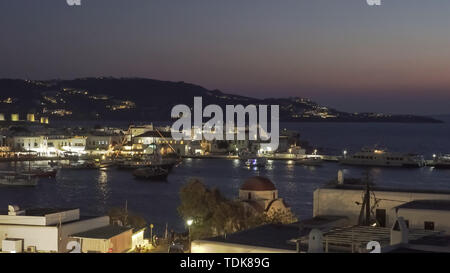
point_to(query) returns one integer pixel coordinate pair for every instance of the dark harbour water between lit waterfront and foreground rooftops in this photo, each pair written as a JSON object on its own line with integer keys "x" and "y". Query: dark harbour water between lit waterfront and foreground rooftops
{"x": 96, "y": 191}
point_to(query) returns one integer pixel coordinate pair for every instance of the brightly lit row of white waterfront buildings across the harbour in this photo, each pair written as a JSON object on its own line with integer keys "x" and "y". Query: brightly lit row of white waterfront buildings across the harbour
{"x": 145, "y": 139}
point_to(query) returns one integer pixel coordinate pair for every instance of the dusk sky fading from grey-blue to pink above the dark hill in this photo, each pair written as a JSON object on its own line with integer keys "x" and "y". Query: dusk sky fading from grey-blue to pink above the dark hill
{"x": 345, "y": 54}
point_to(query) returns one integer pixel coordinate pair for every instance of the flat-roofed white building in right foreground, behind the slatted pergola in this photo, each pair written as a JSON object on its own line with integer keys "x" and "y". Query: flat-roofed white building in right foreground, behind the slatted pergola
{"x": 387, "y": 204}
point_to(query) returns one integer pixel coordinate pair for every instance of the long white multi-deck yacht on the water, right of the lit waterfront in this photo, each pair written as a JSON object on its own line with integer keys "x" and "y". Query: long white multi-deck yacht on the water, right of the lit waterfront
{"x": 383, "y": 158}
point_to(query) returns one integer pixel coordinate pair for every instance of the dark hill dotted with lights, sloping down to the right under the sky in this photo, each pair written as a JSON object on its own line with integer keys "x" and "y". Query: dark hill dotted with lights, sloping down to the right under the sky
{"x": 148, "y": 99}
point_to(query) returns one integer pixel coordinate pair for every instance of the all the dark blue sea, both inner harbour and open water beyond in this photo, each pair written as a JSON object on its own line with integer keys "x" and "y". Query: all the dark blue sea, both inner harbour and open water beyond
{"x": 96, "y": 191}
